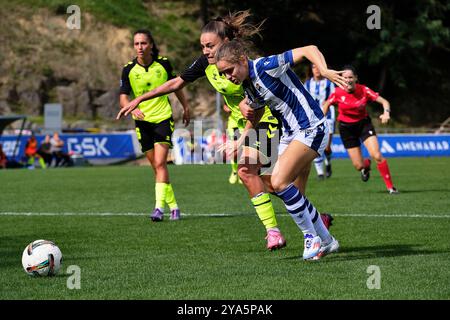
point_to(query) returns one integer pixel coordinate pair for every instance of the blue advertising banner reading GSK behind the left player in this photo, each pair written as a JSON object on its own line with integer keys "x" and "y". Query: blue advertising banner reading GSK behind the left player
{"x": 97, "y": 148}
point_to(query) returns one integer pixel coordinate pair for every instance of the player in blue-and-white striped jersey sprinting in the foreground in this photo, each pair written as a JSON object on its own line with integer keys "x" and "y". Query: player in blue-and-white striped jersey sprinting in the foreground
{"x": 270, "y": 81}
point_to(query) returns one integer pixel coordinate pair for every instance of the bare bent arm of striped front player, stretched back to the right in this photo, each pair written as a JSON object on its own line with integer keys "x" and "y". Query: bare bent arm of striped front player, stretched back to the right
{"x": 313, "y": 54}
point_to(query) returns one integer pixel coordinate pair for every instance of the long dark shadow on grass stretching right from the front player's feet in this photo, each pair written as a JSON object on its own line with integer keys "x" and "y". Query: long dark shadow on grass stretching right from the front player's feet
{"x": 381, "y": 251}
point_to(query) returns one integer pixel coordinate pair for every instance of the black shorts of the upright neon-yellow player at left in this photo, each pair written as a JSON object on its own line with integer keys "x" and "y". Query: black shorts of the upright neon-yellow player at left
{"x": 150, "y": 133}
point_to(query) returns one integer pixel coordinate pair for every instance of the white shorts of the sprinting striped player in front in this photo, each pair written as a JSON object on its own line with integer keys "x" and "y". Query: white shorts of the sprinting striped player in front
{"x": 316, "y": 138}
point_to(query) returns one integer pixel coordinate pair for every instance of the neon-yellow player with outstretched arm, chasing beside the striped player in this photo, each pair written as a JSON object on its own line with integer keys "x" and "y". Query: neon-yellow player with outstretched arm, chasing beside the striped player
{"x": 213, "y": 35}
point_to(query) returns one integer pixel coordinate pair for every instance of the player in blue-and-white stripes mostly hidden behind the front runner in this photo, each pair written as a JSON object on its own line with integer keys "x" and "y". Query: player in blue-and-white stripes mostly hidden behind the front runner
{"x": 320, "y": 89}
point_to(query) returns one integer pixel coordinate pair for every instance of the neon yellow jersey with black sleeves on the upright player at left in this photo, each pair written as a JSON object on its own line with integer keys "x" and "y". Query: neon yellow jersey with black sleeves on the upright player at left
{"x": 137, "y": 80}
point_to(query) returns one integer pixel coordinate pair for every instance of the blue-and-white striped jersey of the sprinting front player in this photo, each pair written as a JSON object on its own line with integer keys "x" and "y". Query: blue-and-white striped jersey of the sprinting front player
{"x": 273, "y": 83}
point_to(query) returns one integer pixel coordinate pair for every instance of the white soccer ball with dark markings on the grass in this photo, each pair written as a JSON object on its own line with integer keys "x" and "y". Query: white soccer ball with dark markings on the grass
{"x": 41, "y": 258}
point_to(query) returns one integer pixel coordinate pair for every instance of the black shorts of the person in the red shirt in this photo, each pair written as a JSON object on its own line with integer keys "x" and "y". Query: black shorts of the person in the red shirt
{"x": 353, "y": 133}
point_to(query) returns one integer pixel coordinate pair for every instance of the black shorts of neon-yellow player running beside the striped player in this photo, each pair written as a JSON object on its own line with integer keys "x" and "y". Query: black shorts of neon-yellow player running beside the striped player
{"x": 264, "y": 138}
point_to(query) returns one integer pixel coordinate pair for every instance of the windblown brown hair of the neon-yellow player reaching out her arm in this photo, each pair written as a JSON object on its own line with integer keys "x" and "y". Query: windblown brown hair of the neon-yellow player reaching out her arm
{"x": 233, "y": 26}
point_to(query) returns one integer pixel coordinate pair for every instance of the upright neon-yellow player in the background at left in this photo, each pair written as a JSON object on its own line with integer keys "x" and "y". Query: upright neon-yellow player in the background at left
{"x": 153, "y": 119}
